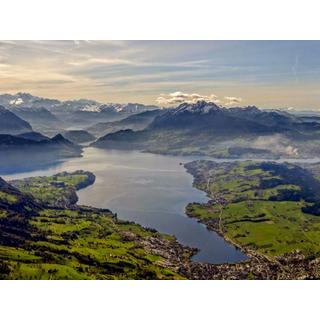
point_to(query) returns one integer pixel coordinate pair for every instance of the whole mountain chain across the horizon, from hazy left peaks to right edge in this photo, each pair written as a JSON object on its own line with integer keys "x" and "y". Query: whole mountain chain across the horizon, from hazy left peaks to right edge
{"x": 191, "y": 128}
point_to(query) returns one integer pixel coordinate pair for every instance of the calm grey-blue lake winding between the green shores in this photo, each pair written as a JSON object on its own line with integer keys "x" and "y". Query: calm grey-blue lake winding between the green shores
{"x": 152, "y": 190}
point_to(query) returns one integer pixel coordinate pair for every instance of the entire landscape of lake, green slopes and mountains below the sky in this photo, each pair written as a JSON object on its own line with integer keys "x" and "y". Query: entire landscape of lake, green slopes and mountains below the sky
{"x": 209, "y": 192}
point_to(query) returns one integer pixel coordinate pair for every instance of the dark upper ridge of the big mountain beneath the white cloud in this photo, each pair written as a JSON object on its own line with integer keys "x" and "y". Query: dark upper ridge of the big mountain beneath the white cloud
{"x": 209, "y": 116}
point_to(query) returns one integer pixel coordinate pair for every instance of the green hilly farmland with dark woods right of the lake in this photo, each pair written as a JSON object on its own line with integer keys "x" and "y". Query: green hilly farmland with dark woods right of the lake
{"x": 259, "y": 206}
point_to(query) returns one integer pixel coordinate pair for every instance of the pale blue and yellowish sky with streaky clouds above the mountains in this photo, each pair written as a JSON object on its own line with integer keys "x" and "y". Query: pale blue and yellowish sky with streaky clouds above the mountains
{"x": 263, "y": 73}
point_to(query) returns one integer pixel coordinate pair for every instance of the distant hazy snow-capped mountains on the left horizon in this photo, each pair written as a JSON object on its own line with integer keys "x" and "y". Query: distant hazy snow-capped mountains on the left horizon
{"x": 51, "y": 116}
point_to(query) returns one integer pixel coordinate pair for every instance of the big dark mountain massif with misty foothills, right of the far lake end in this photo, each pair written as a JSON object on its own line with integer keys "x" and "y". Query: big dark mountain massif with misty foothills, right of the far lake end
{"x": 205, "y": 128}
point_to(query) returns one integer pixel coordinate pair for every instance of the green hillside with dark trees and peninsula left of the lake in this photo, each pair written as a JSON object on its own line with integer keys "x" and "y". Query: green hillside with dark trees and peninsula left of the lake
{"x": 41, "y": 242}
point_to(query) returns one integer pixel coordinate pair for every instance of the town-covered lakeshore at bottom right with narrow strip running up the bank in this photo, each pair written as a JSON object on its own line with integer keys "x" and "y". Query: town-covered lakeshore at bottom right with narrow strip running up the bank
{"x": 290, "y": 266}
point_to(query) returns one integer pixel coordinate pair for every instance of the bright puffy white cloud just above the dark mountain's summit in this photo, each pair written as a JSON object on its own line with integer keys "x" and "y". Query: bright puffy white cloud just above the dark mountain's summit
{"x": 179, "y": 97}
